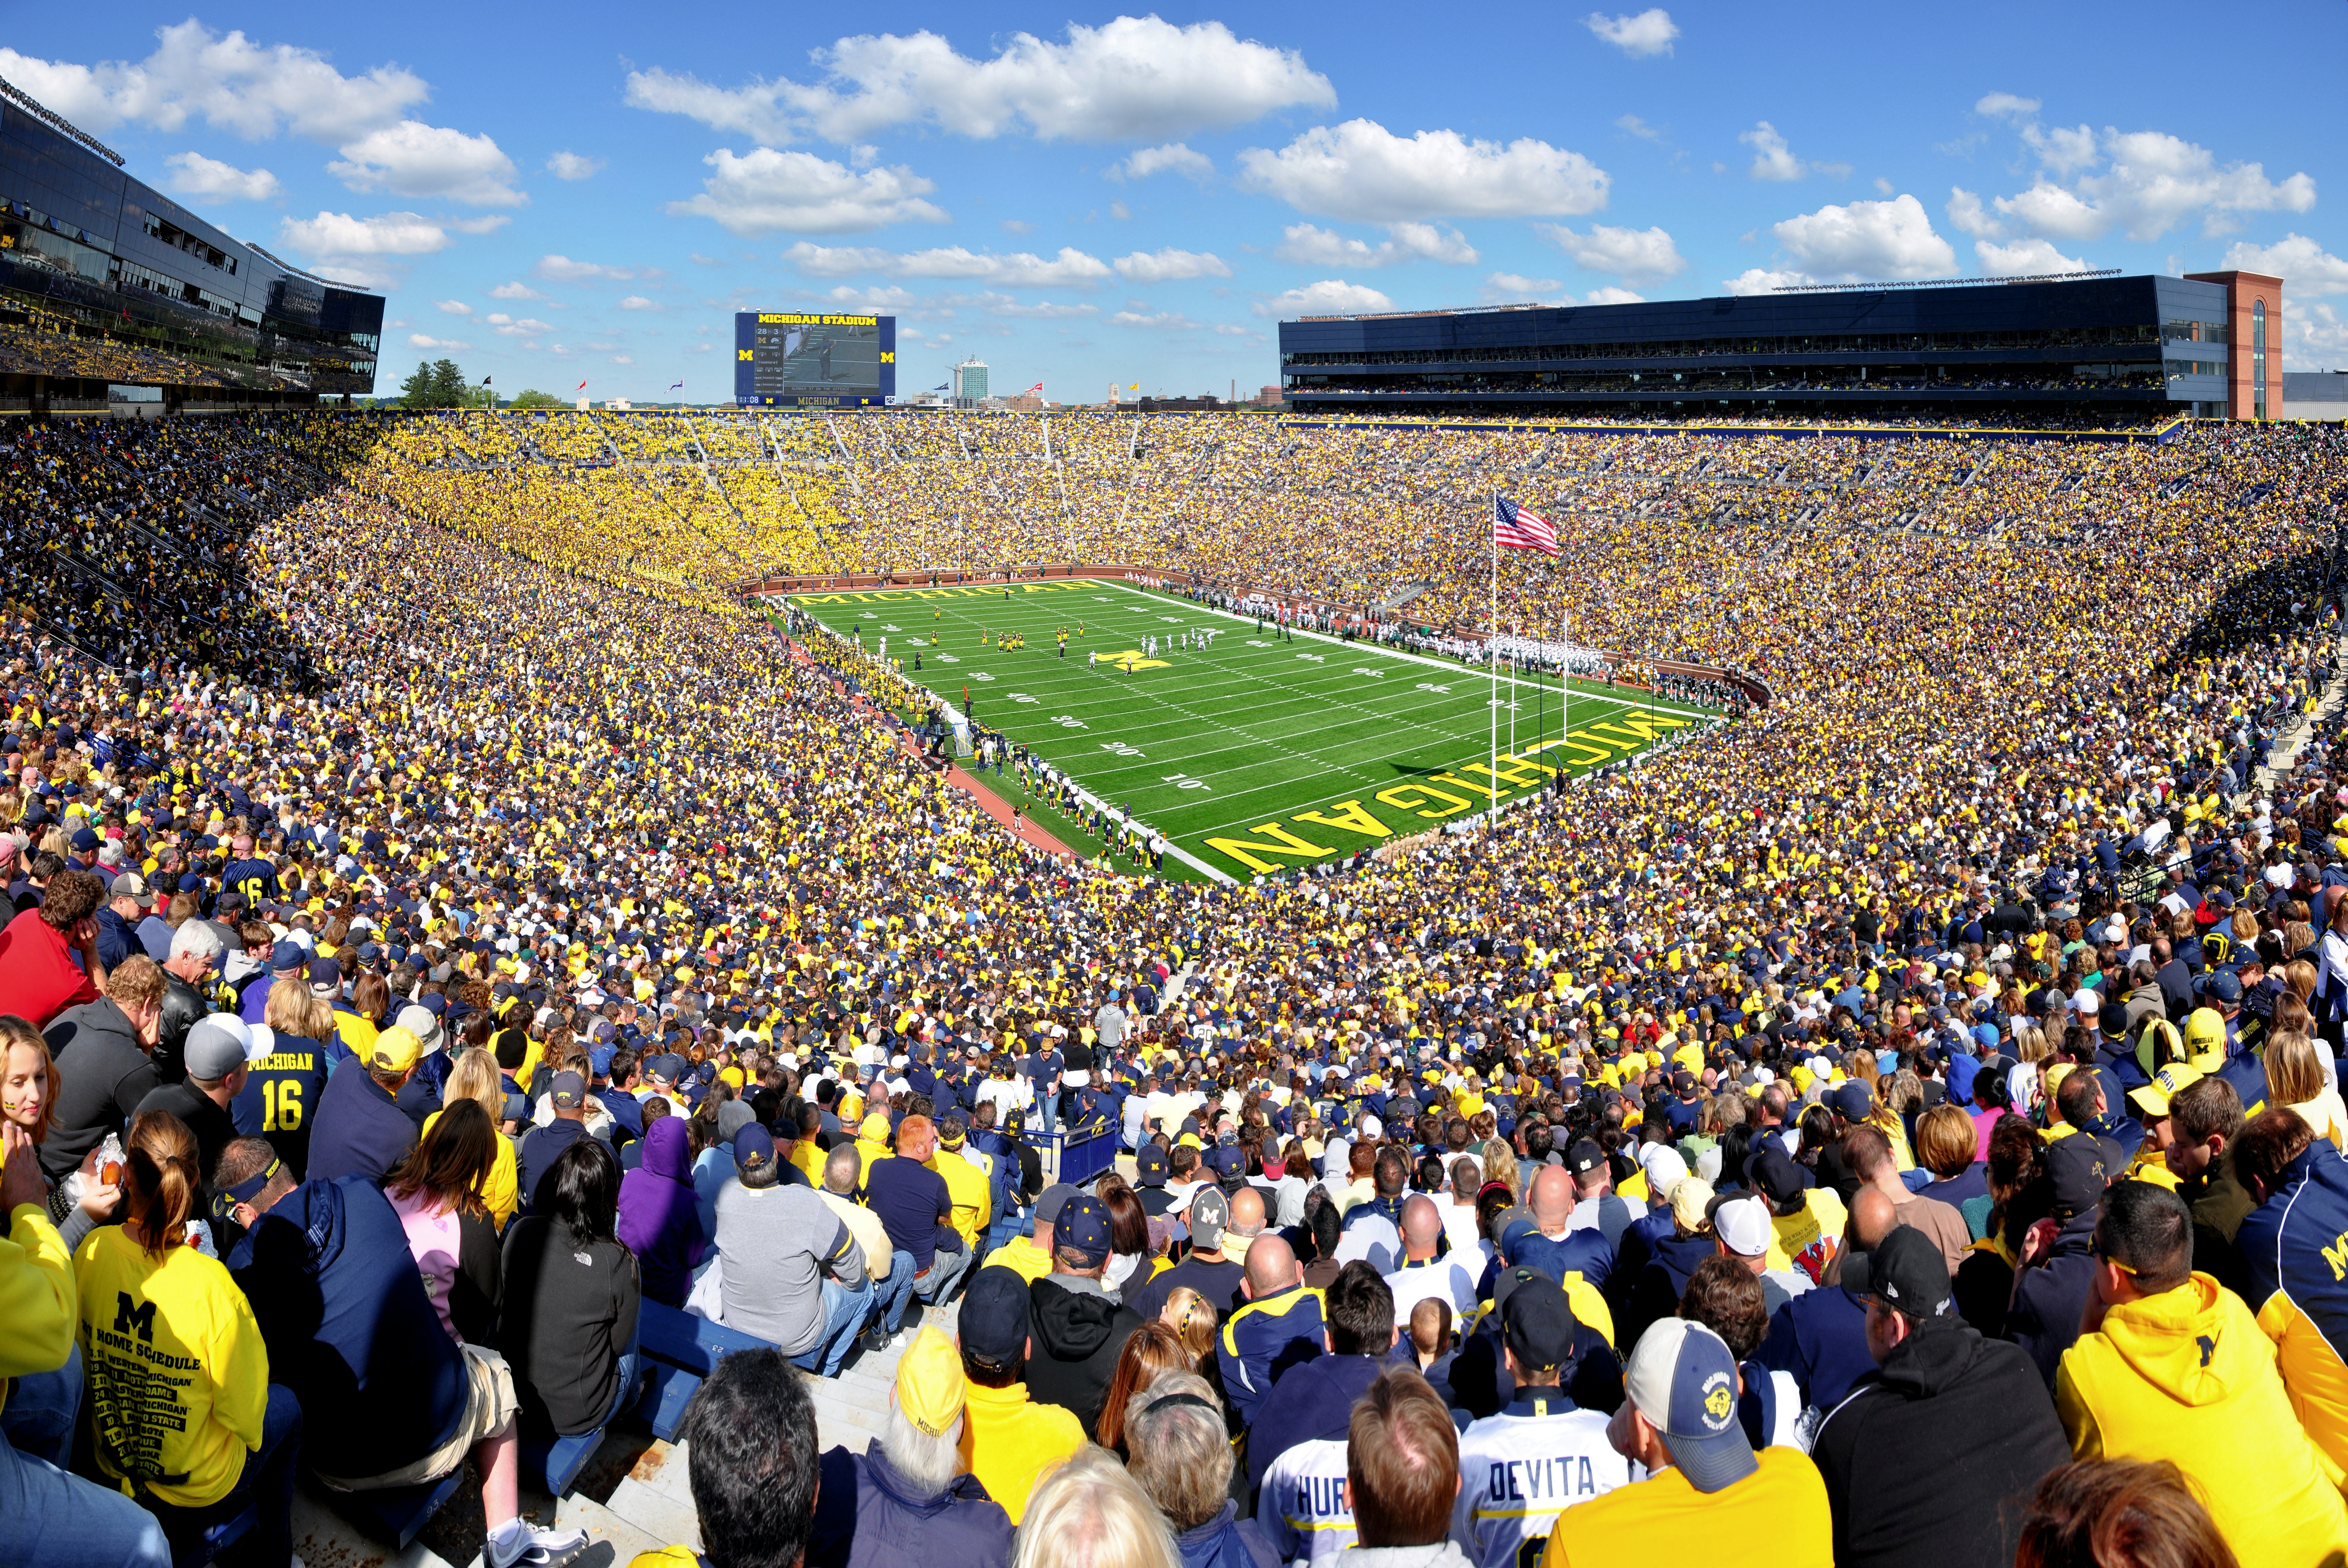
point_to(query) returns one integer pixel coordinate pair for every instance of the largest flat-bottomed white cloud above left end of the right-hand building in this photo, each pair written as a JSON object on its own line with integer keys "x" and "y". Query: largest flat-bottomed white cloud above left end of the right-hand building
{"x": 1365, "y": 173}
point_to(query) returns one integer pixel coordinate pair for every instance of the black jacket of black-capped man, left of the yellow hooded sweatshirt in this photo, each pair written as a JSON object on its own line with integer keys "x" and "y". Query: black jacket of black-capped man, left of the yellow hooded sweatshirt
{"x": 1976, "y": 1431}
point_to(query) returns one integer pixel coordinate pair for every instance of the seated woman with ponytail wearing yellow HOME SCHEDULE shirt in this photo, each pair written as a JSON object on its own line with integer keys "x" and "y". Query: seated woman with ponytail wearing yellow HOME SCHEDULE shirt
{"x": 182, "y": 1400}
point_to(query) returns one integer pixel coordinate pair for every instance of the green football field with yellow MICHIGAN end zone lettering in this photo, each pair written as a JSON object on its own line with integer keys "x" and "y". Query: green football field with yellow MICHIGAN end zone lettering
{"x": 1250, "y": 752}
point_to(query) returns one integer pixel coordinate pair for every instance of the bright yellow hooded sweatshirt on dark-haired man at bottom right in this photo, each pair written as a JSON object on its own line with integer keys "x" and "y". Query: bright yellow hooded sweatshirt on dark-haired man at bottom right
{"x": 2190, "y": 1377}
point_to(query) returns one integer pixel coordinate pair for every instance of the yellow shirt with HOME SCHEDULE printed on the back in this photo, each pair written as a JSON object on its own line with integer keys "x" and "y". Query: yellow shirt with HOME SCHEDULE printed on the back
{"x": 180, "y": 1377}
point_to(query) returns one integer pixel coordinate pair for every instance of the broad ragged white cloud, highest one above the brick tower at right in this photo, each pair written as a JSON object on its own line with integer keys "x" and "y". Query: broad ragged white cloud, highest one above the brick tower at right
{"x": 2140, "y": 184}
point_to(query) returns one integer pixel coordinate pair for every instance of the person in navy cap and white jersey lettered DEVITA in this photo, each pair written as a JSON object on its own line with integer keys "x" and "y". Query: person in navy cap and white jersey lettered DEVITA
{"x": 1539, "y": 1457}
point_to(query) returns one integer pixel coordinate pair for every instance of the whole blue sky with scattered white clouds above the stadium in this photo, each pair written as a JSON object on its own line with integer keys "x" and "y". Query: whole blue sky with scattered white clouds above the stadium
{"x": 1140, "y": 196}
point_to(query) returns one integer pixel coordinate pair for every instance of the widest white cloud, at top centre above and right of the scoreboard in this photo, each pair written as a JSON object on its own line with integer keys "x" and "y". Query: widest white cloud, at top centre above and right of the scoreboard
{"x": 1131, "y": 79}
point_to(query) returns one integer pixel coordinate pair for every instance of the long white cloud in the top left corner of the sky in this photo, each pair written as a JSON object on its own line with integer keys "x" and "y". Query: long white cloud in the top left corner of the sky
{"x": 224, "y": 81}
